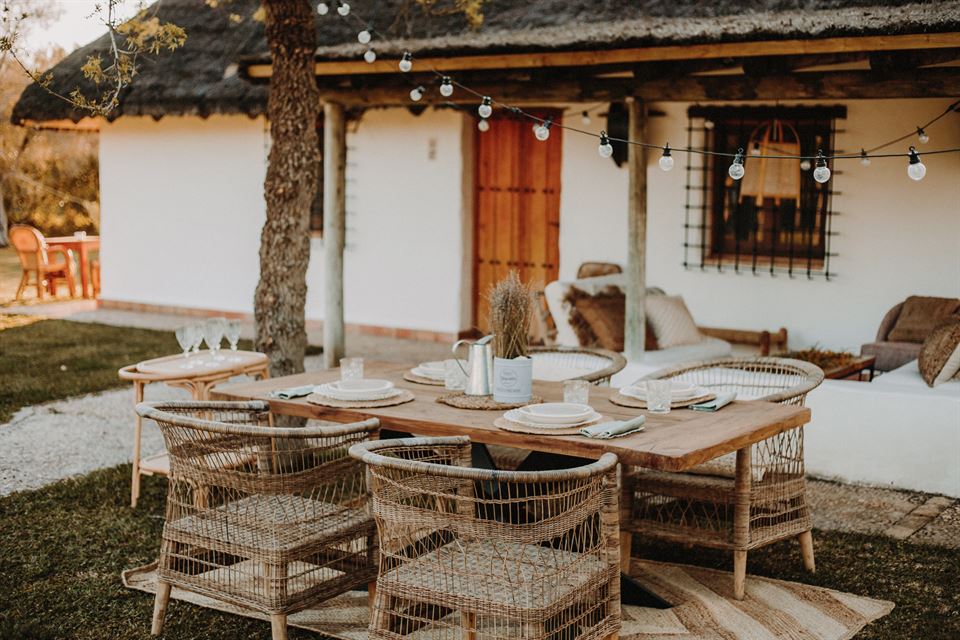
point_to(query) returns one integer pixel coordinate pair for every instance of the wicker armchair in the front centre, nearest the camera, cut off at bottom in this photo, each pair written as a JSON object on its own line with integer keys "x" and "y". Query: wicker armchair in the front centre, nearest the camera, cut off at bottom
{"x": 468, "y": 553}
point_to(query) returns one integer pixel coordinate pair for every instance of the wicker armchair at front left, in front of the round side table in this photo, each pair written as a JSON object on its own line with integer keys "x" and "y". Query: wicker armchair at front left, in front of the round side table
{"x": 271, "y": 519}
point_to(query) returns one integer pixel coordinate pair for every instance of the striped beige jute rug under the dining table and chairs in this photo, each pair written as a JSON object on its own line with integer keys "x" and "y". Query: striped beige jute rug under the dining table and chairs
{"x": 704, "y": 608}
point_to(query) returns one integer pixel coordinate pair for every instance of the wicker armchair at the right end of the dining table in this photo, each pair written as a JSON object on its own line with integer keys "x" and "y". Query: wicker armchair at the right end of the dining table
{"x": 714, "y": 506}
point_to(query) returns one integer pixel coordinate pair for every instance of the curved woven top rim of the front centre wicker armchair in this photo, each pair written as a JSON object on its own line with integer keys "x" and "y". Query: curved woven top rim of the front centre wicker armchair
{"x": 367, "y": 452}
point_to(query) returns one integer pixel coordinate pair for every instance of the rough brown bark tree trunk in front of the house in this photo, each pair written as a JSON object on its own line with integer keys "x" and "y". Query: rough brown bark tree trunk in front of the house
{"x": 292, "y": 173}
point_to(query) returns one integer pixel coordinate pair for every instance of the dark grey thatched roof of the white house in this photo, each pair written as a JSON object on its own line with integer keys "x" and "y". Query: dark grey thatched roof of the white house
{"x": 201, "y": 79}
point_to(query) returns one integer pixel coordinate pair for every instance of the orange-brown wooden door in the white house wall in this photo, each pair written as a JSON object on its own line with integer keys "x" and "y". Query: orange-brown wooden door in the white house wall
{"x": 517, "y": 210}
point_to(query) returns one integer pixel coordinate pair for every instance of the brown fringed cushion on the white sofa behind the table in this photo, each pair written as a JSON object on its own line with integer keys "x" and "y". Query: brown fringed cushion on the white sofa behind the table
{"x": 598, "y": 320}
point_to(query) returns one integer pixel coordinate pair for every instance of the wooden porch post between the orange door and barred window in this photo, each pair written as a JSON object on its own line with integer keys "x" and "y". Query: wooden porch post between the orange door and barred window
{"x": 635, "y": 330}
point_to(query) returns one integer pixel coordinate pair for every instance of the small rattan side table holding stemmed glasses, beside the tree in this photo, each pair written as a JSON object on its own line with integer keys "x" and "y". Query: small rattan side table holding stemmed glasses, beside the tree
{"x": 204, "y": 374}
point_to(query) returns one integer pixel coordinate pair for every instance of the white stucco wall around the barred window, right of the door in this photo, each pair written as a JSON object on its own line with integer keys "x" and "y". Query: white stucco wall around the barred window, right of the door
{"x": 896, "y": 237}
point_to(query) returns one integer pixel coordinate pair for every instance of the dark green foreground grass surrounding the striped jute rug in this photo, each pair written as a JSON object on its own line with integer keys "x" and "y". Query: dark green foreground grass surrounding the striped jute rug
{"x": 62, "y": 549}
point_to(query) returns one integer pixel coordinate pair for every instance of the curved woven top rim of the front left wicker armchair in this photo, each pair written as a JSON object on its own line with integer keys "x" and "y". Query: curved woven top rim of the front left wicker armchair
{"x": 159, "y": 411}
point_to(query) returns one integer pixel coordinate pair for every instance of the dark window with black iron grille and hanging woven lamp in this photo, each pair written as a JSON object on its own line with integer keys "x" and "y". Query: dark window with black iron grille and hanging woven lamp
{"x": 777, "y": 218}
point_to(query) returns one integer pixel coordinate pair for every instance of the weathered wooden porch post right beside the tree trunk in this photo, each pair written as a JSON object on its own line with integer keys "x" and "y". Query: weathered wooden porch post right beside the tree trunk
{"x": 334, "y": 224}
